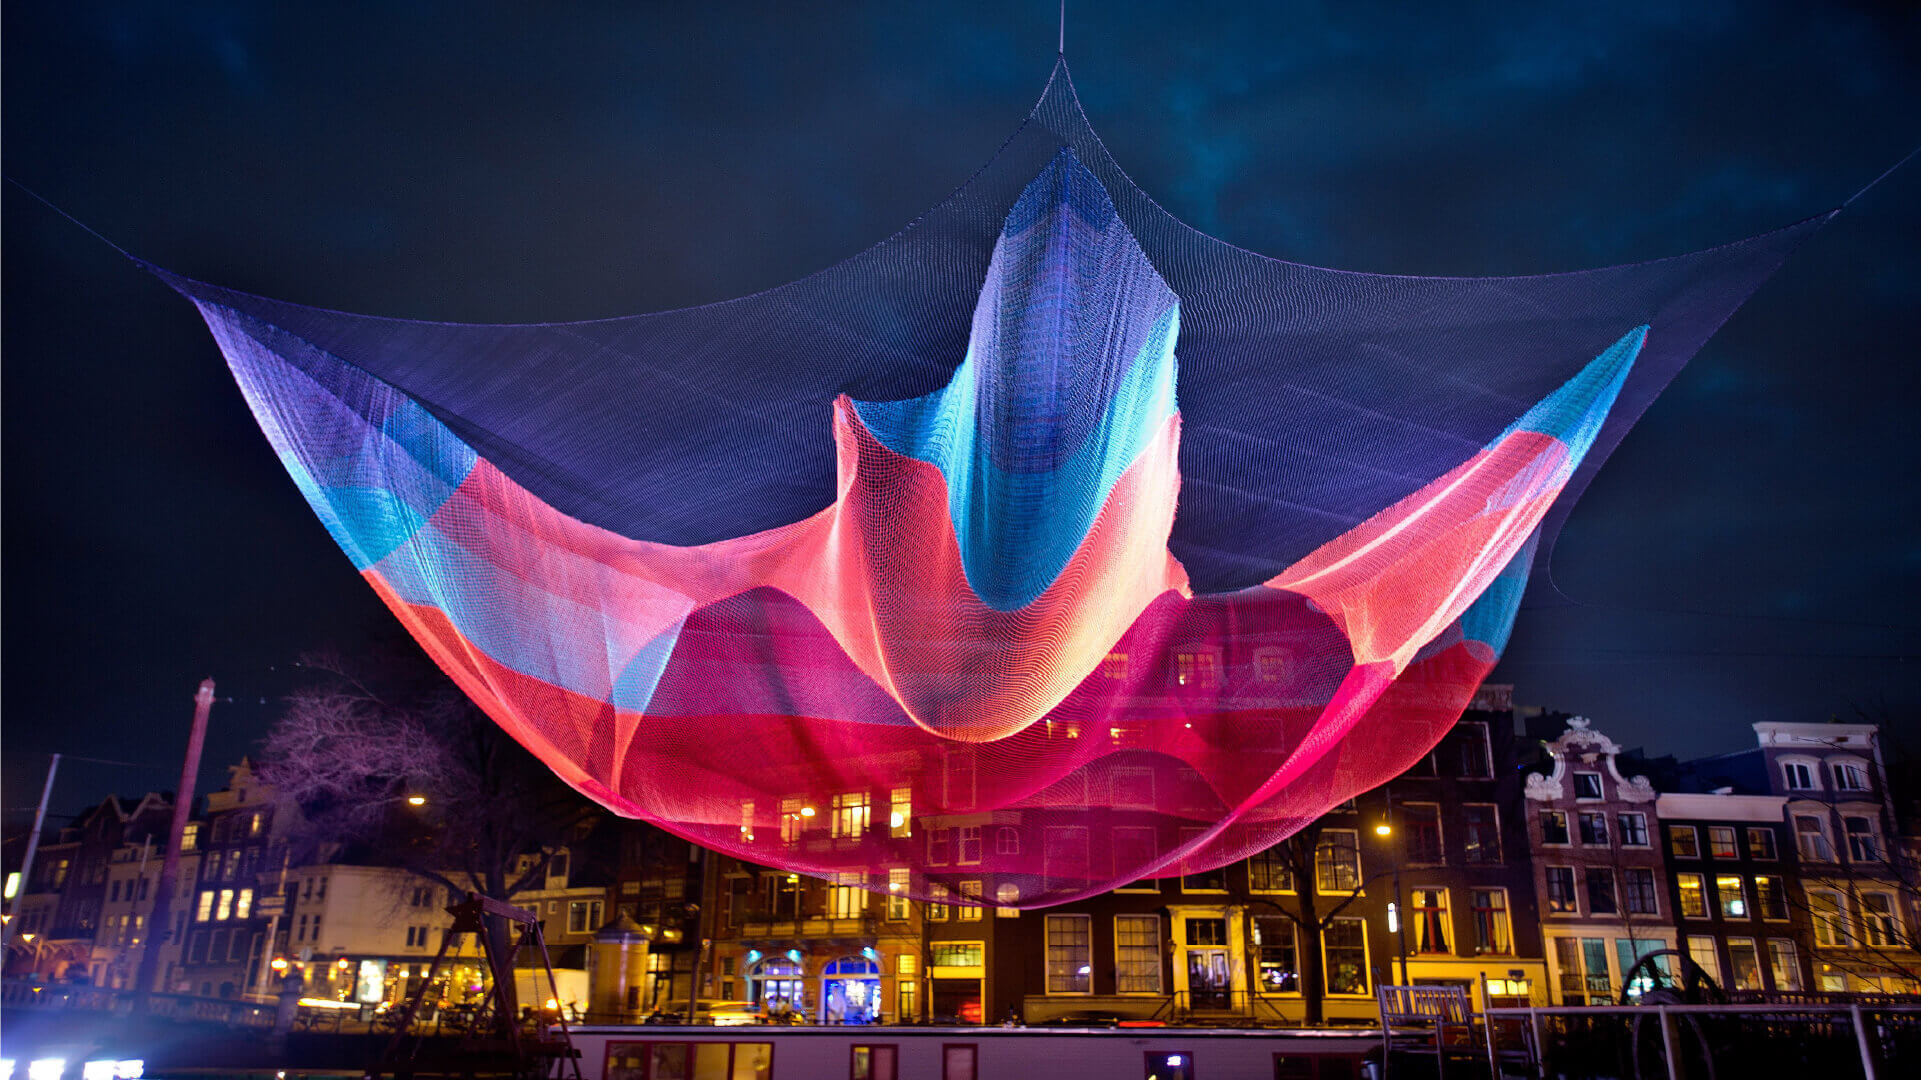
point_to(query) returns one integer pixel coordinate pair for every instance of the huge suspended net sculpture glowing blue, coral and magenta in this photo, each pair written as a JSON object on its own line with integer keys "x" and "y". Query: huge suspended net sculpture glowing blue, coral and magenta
{"x": 1044, "y": 547}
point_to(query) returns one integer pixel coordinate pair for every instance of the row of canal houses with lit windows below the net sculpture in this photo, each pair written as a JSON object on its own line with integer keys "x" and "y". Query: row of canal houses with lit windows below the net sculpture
{"x": 1528, "y": 858}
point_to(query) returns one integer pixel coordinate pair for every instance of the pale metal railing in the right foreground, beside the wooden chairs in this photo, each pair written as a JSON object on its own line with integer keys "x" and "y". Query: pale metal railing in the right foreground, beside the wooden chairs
{"x": 1707, "y": 1043}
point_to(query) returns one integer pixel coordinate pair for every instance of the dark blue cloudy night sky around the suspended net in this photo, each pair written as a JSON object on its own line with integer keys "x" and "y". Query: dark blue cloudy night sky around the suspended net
{"x": 1749, "y": 554}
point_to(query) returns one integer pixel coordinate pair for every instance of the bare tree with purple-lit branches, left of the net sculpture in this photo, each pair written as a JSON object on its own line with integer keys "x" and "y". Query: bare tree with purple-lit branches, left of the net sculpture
{"x": 389, "y": 760}
